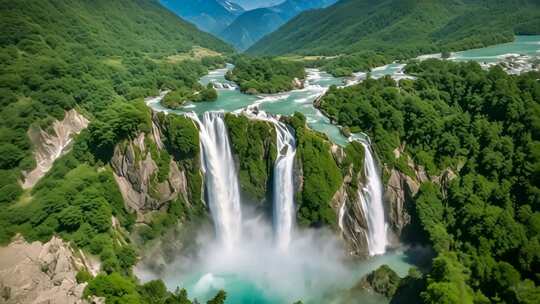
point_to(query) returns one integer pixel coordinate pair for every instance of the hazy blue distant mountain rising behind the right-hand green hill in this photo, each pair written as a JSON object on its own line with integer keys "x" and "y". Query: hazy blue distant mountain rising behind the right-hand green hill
{"x": 252, "y": 25}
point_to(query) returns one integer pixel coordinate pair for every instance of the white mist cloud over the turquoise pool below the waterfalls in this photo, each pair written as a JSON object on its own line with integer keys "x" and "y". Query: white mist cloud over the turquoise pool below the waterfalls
{"x": 257, "y": 271}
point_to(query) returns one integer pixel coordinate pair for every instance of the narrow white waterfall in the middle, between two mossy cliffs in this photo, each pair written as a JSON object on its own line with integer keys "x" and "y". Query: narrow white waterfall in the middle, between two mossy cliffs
{"x": 284, "y": 185}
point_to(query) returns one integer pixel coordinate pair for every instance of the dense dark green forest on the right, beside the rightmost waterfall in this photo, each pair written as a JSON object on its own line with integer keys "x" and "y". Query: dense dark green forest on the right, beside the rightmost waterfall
{"x": 485, "y": 125}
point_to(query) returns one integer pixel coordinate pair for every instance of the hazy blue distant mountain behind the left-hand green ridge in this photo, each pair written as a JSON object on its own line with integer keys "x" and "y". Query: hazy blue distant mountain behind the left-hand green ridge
{"x": 209, "y": 15}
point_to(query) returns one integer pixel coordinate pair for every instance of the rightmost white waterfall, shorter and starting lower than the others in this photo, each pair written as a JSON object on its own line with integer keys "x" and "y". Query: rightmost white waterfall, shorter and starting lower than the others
{"x": 371, "y": 198}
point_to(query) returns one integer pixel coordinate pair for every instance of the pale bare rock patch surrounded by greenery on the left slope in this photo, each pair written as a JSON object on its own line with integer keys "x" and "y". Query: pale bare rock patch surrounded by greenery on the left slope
{"x": 49, "y": 146}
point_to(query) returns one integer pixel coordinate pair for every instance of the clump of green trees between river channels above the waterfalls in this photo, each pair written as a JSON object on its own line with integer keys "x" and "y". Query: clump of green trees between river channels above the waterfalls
{"x": 255, "y": 75}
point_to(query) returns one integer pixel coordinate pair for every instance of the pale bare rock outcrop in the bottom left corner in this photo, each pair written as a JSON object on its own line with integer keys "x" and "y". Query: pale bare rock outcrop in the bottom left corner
{"x": 40, "y": 273}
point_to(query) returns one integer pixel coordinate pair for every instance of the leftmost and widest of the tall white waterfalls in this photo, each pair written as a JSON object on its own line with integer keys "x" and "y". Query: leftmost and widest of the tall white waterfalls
{"x": 221, "y": 178}
